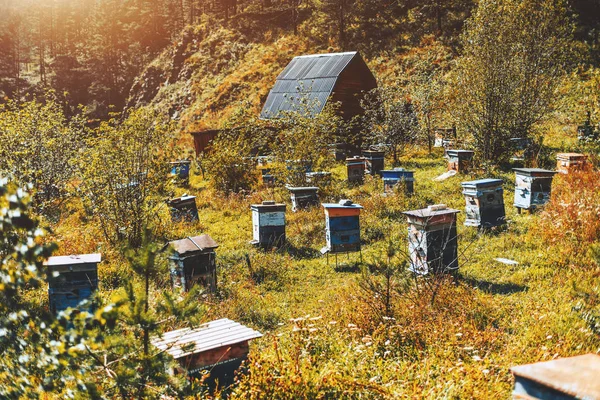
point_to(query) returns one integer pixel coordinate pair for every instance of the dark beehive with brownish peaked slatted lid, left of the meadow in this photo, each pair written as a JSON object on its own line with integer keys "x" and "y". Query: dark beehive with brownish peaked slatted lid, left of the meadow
{"x": 194, "y": 262}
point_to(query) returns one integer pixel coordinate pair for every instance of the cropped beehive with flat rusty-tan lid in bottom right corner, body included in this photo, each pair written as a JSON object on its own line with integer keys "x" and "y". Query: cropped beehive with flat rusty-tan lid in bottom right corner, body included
{"x": 560, "y": 379}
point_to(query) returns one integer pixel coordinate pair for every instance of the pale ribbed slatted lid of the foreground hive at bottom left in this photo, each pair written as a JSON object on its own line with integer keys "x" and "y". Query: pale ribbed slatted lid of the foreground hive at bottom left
{"x": 209, "y": 336}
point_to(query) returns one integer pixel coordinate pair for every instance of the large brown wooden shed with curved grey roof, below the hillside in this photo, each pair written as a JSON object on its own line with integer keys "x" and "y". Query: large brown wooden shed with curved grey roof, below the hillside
{"x": 318, "y": 79}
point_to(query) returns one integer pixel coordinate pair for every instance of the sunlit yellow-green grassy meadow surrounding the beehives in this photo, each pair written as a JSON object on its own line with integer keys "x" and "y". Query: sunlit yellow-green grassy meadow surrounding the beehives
{"x": 323, "y": 334}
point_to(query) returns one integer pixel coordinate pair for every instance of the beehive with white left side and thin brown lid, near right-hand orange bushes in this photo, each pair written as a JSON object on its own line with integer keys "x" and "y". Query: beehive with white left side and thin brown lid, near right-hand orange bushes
{"x": 532, "y": 187}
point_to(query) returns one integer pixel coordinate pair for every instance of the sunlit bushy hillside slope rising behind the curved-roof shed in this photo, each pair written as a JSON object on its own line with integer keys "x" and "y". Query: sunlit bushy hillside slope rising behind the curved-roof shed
{"x": 213, "y": 68}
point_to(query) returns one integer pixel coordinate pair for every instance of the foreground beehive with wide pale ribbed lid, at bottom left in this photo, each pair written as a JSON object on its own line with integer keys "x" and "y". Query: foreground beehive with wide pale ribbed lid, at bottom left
{"x": 218, "y": 346}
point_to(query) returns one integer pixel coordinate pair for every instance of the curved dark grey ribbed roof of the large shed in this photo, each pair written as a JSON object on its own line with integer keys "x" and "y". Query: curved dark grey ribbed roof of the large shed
{"x": 309, "y": 79}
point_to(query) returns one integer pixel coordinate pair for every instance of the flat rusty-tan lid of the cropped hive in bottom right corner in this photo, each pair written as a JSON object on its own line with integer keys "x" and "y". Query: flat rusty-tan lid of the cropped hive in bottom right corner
{"x": 577, "y": 376}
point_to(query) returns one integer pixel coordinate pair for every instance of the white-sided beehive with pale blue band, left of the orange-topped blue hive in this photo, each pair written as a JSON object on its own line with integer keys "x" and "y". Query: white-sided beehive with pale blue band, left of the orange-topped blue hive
{"x": 268, "y": 224}
